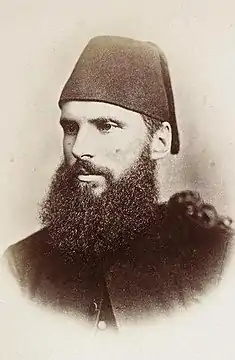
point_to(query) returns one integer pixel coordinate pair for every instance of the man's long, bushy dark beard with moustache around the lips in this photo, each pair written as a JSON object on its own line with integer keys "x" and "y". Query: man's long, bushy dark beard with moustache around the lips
{"x": 93, "y": 227}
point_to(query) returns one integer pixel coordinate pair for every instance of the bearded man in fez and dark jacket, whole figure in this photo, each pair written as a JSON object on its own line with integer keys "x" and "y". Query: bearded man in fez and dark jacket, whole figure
{"x": 108, "y": 250}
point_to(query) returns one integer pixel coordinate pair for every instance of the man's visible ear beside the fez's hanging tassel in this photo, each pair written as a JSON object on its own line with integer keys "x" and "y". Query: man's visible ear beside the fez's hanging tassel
{"x": 161, "y": 141}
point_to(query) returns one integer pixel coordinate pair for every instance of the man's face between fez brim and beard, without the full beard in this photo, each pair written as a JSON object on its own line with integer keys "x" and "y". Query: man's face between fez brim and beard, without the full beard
{"x": 106, "y": 138}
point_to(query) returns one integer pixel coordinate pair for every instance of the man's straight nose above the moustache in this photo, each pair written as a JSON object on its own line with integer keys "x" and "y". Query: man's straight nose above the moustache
{"x": 83, "y": 146}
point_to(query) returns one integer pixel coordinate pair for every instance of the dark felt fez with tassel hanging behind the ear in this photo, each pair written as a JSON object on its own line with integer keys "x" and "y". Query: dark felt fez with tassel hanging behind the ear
{"x": 125, "y": 72}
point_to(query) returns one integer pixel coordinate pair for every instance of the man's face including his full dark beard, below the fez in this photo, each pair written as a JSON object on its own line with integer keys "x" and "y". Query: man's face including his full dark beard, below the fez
{"x": 105, "y": 191}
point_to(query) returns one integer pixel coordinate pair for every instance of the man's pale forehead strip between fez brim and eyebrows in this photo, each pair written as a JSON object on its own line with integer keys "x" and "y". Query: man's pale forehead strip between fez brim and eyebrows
{"x": 84, "y": 110}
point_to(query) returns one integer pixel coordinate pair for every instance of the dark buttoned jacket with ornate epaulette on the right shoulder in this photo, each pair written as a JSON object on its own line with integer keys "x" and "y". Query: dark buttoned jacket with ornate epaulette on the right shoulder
{"x": 171, "y": 264}
